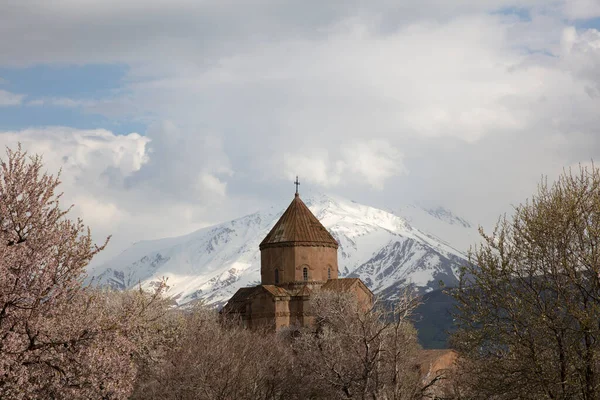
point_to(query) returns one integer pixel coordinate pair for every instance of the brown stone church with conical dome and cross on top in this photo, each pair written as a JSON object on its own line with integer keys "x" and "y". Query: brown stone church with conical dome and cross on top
{"x": 298, "y": 257}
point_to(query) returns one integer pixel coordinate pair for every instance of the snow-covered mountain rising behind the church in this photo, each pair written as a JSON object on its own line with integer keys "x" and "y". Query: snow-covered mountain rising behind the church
{"x": 383, "y": 249}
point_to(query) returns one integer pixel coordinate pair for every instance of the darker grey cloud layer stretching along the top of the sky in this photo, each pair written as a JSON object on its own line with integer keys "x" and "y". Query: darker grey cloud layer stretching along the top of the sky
{"x": 42, "y": 31}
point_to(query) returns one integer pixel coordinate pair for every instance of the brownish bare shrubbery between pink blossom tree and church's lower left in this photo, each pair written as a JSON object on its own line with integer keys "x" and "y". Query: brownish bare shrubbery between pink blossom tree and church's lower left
{"x": 214, "y": 359}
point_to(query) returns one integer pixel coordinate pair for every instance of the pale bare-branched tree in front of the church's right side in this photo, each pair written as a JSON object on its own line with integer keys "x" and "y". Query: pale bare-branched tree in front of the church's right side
{"x": 361, "y": 352}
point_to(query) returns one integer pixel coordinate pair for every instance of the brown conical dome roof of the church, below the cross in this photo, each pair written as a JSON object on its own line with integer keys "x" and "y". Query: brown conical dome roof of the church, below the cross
{"x": 298, "y": 227}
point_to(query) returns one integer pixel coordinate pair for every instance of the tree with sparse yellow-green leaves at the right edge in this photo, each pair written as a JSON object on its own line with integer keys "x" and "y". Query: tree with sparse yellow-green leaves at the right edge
{"x": 529, "y": 302}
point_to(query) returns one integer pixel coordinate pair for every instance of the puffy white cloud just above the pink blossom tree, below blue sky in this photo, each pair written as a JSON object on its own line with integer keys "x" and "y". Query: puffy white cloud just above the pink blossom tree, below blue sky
{"x": 84, "y": 157}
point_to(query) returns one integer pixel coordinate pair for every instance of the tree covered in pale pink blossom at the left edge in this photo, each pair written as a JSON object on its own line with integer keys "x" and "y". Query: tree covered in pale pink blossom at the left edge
{"x": 59, "y": 339}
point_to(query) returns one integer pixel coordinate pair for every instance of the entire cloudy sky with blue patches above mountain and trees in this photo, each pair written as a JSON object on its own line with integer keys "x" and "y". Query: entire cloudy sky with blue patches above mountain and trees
{"x": 168, "y": 116}
